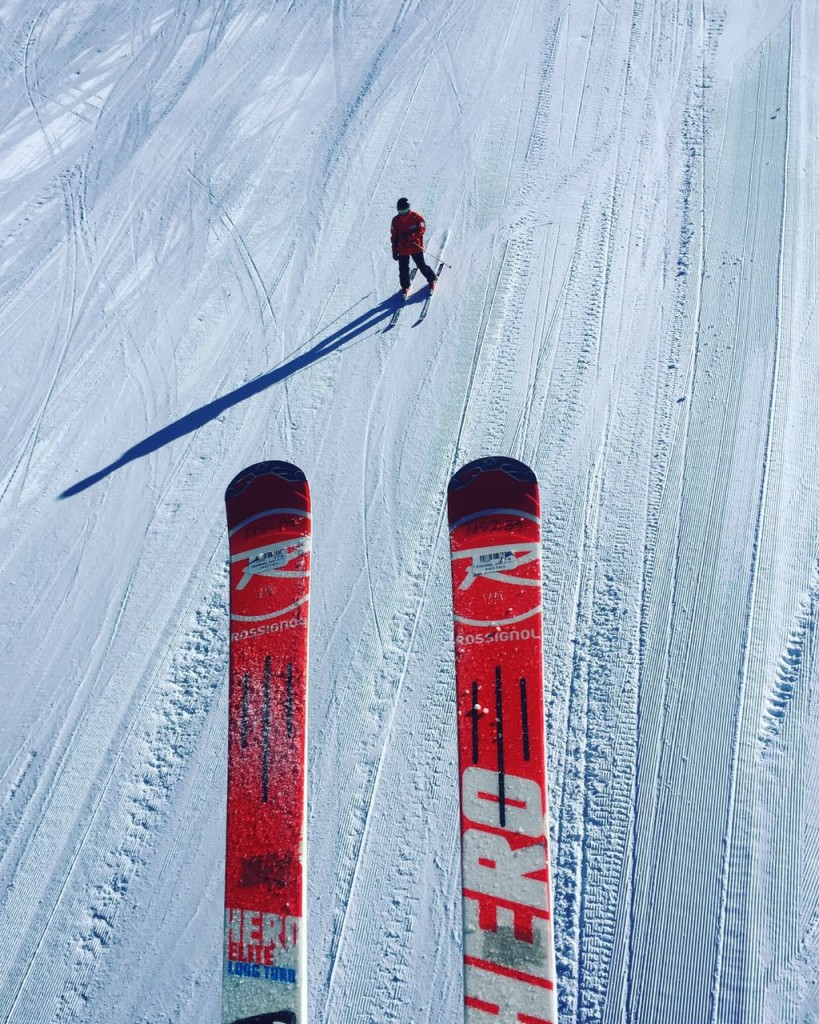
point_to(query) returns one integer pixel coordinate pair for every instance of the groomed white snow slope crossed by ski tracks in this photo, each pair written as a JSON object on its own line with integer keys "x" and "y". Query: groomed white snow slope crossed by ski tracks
{"x": 196, "y": 200}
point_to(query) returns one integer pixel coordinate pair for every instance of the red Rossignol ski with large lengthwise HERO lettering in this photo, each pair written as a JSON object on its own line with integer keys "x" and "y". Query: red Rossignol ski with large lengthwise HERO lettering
{"x": 495, "y": 533}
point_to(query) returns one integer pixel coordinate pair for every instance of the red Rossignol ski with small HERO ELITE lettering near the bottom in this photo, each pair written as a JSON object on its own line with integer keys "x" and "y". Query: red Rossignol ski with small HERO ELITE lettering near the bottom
{"x": 269, "y": 518}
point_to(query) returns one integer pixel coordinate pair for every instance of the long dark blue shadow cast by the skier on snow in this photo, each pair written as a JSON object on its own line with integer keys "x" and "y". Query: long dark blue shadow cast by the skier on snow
{"x": 193, "y": 421}
